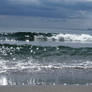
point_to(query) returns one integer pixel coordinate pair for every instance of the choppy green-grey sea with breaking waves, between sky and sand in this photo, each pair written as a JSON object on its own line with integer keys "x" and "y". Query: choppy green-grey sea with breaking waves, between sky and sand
{"x": 46, "y": 58}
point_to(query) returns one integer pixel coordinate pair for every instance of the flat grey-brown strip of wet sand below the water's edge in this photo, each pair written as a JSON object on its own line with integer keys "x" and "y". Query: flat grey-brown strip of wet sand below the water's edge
{"x": 46, "y": 89}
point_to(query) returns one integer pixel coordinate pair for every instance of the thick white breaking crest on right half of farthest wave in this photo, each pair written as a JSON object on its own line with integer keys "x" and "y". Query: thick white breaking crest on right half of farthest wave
{"x": 71, "y": 37}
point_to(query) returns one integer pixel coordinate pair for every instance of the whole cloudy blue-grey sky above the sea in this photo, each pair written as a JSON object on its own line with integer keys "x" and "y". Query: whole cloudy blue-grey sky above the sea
{"x": 45, "y": 14}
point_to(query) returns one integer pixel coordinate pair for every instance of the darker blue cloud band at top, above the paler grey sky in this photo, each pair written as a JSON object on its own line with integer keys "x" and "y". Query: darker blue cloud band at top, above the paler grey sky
{"x": 47, "y": 8}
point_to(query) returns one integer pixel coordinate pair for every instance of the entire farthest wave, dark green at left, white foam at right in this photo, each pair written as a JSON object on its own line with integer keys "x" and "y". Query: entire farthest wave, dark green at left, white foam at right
{"x": 28, "y": 36}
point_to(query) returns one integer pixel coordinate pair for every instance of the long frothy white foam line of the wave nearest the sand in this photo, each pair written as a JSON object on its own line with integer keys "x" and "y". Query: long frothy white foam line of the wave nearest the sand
{"x": 35, "y": 67}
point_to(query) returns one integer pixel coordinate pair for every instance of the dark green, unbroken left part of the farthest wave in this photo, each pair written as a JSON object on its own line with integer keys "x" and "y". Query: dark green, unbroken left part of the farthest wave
{"x": 23, "y": 36}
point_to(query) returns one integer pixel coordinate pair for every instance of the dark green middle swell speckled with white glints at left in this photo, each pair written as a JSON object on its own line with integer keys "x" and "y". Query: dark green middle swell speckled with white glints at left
{"x": 24, "y": 51}
